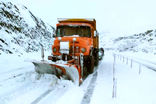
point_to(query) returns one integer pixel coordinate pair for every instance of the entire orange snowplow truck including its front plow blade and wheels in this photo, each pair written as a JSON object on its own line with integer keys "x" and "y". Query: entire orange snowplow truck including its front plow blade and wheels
{"x": 75, "y": 50}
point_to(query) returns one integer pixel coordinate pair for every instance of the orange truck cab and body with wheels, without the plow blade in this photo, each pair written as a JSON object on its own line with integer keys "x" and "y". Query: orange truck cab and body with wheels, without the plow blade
{"x": 75, "y": 38}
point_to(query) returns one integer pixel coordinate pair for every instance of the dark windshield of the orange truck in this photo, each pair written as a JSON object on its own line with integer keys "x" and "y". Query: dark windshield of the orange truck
{"x": 82, "y": 31}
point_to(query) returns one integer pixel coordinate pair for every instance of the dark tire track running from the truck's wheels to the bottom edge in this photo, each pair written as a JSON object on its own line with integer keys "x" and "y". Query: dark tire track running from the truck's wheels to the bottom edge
{"x": 87, "y": 96}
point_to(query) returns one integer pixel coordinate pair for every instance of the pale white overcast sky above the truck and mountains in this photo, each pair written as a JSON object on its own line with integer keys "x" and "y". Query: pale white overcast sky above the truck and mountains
{"x": 121, "y": 17}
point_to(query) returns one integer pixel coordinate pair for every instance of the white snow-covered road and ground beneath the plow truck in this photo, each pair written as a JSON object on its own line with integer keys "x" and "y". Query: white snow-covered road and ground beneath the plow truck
{"x": 20, "y": 84}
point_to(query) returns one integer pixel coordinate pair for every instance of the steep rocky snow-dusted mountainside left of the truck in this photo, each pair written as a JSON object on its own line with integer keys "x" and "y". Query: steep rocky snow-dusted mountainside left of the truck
{"x": 21, "y": 31}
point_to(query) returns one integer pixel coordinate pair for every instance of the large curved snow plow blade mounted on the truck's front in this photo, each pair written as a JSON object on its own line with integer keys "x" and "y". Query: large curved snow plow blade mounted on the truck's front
{"x": 66, "y": 71}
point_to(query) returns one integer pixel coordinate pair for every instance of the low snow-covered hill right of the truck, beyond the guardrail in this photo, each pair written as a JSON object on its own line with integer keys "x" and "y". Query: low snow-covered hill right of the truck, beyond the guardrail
{"x": 142, "y": 42}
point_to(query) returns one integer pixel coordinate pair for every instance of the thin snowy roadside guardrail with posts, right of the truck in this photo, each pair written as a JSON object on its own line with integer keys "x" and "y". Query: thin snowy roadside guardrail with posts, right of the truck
{"x": 126, "y": 59}
